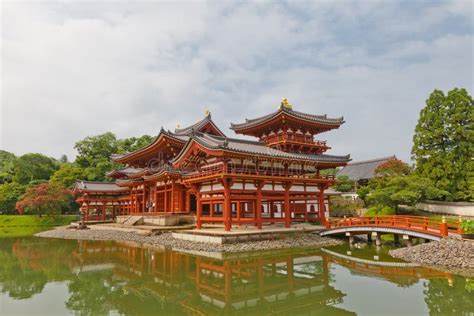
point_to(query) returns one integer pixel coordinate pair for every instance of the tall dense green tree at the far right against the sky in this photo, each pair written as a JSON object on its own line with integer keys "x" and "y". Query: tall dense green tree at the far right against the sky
{"x": 443, "y": 143}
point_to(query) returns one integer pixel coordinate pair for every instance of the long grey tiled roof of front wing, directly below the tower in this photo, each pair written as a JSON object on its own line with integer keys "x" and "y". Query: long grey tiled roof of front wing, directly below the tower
{"x": 259, "y": 148}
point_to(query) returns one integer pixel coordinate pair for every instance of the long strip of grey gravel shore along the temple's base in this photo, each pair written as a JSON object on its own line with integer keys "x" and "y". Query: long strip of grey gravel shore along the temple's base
{"x": 166, "y": 240}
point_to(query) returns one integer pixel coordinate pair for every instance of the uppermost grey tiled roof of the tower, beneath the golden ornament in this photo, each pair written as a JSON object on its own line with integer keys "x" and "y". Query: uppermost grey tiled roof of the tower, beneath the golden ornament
{"x": 308, "y": 117}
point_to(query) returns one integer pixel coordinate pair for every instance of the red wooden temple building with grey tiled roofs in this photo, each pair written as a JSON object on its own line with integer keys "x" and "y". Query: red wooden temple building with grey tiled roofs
{"x": 224, "y": 181}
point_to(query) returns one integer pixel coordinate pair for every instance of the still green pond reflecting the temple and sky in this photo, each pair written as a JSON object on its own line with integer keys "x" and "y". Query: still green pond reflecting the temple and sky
{"x": 62, "y": 277}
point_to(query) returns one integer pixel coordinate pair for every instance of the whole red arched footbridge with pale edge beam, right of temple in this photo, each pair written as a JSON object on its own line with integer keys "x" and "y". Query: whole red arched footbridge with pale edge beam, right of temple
{"x": 409, "y": 226}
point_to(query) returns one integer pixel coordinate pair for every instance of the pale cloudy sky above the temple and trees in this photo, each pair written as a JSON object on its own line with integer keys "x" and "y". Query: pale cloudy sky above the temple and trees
{"x": 74, "y": 69}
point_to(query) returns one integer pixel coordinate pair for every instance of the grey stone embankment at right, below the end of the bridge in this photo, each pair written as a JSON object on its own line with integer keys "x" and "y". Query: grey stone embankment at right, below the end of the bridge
{"x": 449, "y": 252}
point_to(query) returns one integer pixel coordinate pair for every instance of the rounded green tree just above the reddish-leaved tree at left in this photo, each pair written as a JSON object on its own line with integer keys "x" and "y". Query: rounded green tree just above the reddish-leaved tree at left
{"x": 31, "y": 167}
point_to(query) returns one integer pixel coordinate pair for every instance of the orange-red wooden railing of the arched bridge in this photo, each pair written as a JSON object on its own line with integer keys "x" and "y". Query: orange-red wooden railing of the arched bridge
{"x": 433, "y": 225}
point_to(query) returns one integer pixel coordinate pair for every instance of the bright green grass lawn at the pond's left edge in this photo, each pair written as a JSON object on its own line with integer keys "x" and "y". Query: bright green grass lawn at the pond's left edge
{"x": 27, "y": 225}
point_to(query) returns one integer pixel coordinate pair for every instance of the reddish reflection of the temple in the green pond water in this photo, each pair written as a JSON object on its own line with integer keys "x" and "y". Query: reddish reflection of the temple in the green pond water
{"x": 279, "y": 283}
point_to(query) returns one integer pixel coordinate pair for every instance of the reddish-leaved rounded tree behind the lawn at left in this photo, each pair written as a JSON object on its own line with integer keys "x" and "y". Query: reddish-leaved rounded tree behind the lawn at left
{"x": 45, "y": 198}
